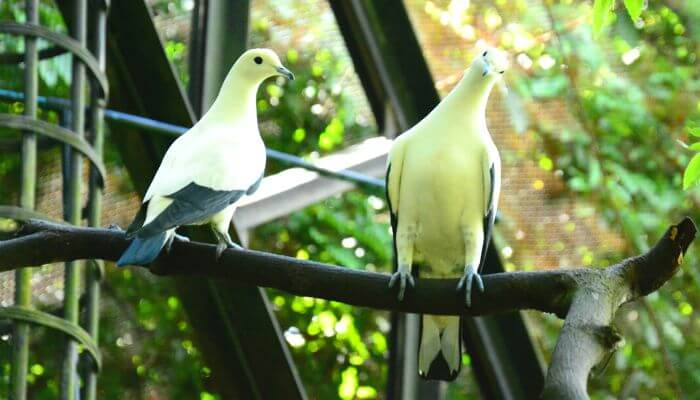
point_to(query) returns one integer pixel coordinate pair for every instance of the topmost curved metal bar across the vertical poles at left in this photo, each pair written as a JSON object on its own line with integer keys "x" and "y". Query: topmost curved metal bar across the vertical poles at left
{"x": 66, "y": 42}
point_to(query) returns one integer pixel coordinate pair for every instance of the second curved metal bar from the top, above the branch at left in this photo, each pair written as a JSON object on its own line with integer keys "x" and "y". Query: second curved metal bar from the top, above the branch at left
{"x": 58, "y": 133}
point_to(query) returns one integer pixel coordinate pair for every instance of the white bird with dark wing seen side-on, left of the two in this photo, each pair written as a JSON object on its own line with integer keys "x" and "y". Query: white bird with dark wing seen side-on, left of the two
{"x": 206, "y": 170}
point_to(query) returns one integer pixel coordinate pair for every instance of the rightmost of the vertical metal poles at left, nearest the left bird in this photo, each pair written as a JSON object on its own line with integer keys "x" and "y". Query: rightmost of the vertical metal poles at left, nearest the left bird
{"x": 95, "y": 268}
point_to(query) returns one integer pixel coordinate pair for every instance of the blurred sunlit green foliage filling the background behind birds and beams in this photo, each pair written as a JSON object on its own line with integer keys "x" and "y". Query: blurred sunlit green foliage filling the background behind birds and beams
{"x": 632, "y": 92}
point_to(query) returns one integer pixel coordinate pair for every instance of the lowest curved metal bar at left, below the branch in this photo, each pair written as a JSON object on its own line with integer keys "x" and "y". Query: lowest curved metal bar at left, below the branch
{"x": 41, "y": 318}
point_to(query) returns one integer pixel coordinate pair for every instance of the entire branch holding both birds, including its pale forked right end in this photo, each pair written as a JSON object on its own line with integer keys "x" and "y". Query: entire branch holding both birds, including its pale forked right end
{"x": 587, "y": 298}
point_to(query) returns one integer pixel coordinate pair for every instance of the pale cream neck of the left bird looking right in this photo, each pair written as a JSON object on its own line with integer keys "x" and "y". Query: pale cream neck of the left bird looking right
{"x": 236, "y": 100}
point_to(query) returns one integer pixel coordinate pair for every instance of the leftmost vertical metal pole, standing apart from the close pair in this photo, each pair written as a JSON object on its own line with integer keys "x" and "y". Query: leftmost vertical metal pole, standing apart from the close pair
{"x": 23, "y": 292}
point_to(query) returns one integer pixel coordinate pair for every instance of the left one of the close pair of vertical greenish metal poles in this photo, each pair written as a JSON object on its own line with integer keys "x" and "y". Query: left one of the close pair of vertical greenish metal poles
{"x": 69, "y": 379}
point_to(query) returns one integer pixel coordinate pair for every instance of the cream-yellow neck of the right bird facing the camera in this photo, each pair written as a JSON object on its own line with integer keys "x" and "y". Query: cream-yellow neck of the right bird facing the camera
{"x": 466, "y": 104}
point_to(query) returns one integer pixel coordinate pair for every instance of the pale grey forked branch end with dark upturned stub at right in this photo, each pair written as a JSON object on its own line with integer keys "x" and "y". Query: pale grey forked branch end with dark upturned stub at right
{"x": 587, "y": 337}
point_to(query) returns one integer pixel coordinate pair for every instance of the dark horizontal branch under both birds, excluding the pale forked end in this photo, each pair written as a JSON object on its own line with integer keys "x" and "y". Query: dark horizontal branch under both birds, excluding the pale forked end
{"x": 38, "y": 243}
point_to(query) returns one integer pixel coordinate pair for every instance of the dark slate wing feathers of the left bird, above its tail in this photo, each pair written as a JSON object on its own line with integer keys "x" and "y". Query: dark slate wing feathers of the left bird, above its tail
{"x": 192, "y": 204}
